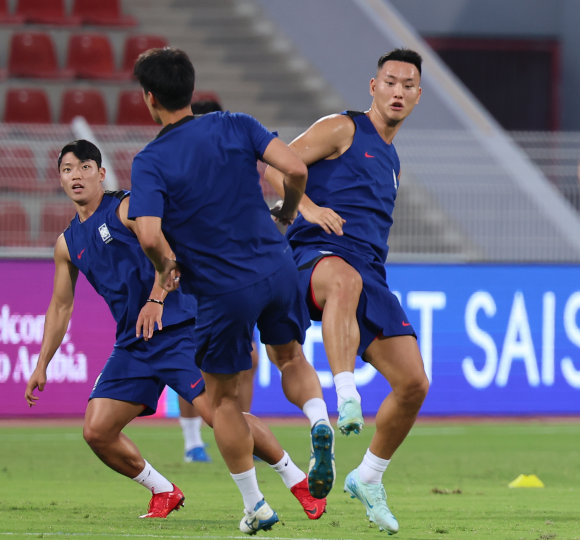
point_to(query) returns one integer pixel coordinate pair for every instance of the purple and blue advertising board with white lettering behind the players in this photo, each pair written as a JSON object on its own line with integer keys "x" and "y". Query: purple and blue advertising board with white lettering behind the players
{"x": 495, "y": 340}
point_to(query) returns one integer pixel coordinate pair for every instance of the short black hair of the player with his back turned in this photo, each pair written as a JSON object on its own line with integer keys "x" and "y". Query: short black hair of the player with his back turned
{"x": 168, "y": 74}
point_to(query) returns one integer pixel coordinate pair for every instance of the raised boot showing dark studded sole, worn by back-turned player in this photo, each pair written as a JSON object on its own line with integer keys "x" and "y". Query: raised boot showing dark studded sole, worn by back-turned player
{"x": 321, "y": 472}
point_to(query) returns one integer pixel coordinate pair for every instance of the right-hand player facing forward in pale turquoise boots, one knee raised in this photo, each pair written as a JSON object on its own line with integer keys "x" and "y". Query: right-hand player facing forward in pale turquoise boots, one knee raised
{"x": 340, "y": 247}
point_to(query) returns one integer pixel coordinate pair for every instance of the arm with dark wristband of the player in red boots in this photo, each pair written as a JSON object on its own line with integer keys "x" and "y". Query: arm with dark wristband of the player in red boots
{"x": 152, "y": 311}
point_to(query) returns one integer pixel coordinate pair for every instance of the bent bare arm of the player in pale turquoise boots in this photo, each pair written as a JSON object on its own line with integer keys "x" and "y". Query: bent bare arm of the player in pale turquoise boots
{"x": 328, "y": 138}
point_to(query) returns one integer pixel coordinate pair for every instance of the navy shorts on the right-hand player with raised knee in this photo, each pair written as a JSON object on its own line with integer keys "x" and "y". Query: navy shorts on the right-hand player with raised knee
{"x": 379, "y": 312}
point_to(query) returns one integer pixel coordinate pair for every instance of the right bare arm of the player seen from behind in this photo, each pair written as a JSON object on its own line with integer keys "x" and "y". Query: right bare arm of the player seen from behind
{"x": 294, "y": 174}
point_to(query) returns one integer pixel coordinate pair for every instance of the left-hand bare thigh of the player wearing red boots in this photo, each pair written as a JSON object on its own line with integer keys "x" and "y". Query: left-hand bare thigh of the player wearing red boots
{"x": 109, "y": 416}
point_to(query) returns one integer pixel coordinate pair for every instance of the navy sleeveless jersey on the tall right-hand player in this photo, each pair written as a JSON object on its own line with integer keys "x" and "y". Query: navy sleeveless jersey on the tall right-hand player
{"x": 361, "y": 187}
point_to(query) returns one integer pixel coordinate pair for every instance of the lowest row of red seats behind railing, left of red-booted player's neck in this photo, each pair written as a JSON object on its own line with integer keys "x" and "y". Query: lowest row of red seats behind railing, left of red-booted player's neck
{"x": 15, "y": 223}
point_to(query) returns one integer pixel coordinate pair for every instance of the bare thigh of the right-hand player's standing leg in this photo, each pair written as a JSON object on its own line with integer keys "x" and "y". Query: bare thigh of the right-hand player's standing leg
{"x": 399, "y": 360}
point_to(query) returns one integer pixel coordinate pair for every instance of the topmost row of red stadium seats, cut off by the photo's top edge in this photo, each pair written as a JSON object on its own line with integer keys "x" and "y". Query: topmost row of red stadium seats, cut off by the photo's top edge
{"x": 52, "y": 12}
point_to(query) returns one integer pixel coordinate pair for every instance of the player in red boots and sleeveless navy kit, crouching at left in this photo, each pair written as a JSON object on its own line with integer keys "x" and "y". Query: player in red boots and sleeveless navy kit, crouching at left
{"x": 154, "y": 346}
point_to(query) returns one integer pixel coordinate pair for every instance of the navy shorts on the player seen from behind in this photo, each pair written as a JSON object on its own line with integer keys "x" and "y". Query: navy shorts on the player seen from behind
{"x": 225, "y": 322}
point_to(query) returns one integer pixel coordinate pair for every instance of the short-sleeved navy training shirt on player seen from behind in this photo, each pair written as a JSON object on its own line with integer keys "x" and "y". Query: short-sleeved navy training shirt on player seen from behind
{"x": 199, "y": 175}
